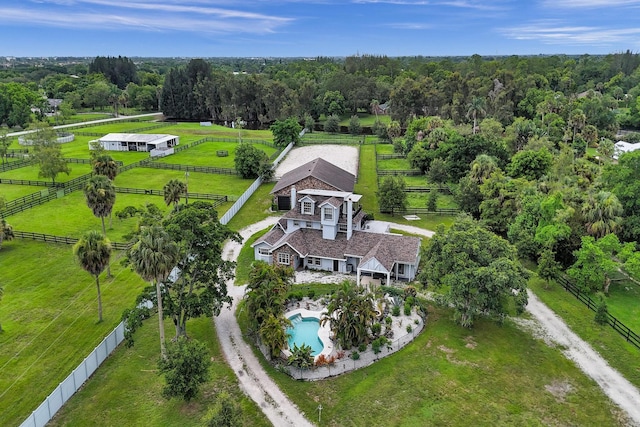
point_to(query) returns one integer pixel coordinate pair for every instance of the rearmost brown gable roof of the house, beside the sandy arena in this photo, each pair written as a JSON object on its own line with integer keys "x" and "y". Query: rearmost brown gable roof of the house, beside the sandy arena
{"x": 321, "y": 170}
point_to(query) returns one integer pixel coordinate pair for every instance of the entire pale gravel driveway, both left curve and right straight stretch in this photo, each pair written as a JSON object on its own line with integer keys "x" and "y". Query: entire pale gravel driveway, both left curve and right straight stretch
{"x": 257, "y": 384}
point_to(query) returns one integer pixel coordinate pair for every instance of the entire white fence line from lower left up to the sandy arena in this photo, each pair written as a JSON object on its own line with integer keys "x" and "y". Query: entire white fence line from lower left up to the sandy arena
{"x": 47, "y": 409}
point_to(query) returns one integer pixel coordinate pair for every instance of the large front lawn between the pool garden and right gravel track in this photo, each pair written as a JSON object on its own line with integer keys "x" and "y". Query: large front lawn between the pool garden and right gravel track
{"x": 490, "y": 375}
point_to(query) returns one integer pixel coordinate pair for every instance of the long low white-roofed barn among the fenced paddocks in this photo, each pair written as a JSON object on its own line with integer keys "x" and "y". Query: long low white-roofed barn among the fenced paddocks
{"x": 156, "y": 144}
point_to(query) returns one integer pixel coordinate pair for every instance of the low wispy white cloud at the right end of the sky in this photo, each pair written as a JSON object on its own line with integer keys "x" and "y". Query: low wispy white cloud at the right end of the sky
{"x": 554, "y": 32}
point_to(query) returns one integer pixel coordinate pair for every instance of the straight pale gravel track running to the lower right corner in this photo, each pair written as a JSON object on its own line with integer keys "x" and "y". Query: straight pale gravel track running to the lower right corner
{"x": 614, "y": 385}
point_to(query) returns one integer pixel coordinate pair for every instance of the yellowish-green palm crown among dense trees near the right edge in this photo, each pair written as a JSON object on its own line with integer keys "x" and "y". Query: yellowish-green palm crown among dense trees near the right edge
{"x": 602, "y": 213}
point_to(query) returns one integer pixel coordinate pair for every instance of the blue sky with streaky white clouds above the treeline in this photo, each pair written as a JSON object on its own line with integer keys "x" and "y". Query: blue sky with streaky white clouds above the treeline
{"x": 286, "y": 28}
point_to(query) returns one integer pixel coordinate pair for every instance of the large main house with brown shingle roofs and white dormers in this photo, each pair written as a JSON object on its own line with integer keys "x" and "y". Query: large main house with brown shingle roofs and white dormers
{"x": 325, "y": 230}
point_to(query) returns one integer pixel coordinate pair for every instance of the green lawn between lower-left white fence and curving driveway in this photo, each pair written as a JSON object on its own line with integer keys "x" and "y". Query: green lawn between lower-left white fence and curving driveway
{"x": 125, "y": 391}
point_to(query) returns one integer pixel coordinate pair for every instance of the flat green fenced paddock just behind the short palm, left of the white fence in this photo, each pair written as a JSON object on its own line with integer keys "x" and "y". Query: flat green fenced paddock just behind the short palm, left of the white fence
{"x": 149, "y": 178}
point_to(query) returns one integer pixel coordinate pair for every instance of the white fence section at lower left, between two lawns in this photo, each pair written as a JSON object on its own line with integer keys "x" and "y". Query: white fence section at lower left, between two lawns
{"x": 47, "y": 409}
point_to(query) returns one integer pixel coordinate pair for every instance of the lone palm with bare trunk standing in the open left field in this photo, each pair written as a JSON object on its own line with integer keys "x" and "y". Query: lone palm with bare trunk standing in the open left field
{"x": 93, "y": 252}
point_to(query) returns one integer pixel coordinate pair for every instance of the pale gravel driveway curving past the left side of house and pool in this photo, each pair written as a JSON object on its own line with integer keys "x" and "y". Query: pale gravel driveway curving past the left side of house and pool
{"x": 254, "y": 381}
